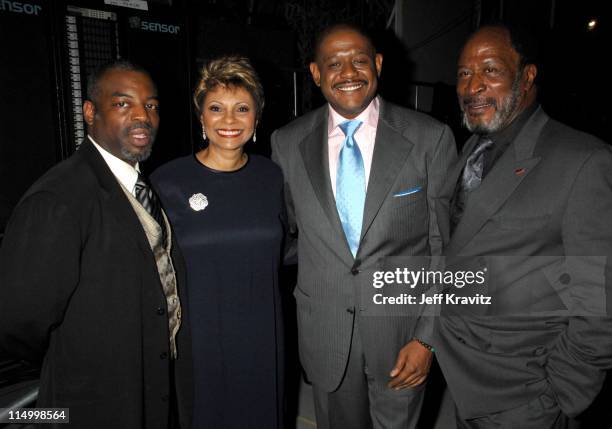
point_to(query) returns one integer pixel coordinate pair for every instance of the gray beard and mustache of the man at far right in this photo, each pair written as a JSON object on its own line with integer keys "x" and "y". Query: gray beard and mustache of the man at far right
{"x": 502, "y": 113}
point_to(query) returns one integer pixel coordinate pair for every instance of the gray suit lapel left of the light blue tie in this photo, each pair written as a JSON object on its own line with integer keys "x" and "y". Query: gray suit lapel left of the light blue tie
{"x": 316, "y": 161}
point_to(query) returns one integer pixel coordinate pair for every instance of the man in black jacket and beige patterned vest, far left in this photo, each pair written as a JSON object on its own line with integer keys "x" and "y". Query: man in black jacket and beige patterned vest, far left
{"x": 91, "y": 285}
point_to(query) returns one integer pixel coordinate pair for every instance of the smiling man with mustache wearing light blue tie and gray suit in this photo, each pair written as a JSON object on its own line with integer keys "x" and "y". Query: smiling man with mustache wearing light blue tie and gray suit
{"x": 363, "y": 182}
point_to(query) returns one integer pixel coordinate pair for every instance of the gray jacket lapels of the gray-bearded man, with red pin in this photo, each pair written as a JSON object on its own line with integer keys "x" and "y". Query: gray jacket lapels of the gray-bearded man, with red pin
{"x": 507, "y": 174}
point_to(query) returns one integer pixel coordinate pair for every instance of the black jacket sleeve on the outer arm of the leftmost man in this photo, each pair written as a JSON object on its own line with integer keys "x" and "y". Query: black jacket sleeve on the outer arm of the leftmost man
{"x": 39, "y": 270}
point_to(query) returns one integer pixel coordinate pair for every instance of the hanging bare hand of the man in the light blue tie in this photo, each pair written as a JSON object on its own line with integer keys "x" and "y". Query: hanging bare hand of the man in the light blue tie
{"x": 412, "y": 366}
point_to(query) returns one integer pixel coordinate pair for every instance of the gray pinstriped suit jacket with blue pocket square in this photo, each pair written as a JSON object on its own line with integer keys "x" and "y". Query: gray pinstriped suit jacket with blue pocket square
{"x": 411, "y": 151}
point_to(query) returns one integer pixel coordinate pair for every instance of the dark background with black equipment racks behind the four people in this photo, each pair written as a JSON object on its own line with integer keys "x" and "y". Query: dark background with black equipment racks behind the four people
{"x": 420, "y": 41}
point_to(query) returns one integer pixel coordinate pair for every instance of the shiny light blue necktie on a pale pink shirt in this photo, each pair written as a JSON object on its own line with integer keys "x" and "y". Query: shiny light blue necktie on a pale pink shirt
{"x": 350, "y": 186}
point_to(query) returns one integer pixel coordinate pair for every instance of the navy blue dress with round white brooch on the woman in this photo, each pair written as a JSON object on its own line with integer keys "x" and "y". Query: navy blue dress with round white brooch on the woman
{"x": 230, "y": 236}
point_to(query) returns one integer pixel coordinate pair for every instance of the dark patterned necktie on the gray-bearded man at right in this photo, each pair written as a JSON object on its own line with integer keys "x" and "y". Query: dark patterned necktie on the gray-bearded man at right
{"x": 469, "y": 180}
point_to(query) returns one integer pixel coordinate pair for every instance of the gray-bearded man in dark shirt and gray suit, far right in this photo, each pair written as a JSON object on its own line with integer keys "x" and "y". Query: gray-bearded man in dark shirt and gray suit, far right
{"x": 533, "y": 204}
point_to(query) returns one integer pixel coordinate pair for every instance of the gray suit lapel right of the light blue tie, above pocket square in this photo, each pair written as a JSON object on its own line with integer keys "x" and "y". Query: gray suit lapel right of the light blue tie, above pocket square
{"x": 391, "y": 151}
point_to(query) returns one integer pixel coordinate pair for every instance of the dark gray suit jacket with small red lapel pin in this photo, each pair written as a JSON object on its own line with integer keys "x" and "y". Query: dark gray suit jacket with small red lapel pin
{"x": 549, "y": 197}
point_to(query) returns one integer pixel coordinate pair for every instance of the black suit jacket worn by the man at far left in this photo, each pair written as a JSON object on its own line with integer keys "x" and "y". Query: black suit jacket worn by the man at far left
{"x": 80, "y": 292}
